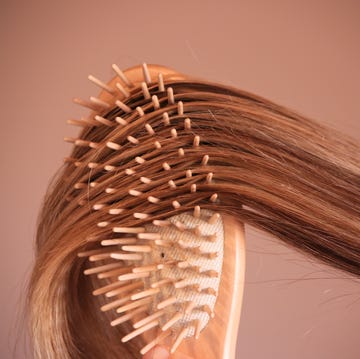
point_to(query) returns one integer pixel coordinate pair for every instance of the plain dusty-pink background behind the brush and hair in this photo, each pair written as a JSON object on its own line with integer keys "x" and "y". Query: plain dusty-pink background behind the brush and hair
{"x": 303, "y": 54}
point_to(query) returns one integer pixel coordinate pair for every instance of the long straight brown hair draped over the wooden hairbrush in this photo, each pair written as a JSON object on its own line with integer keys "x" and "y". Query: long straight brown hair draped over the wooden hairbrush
{"x": 273, "y": 169}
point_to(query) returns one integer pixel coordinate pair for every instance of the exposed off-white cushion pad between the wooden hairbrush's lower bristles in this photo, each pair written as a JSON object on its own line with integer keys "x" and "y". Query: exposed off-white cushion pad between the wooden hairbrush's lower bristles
{"x": 196, "y": 255}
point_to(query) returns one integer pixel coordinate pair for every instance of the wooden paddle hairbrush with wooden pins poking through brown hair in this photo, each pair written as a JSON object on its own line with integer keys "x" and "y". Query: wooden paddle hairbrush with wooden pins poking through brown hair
{"x": 166, "y": 265}
